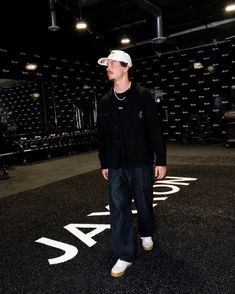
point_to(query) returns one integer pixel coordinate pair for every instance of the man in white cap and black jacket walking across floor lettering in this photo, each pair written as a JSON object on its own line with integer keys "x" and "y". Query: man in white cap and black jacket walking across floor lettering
{"x": 132, "y": 152}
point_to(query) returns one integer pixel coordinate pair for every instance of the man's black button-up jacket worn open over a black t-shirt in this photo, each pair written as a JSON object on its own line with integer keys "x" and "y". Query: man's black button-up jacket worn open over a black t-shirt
{"x": 144, "y": 143}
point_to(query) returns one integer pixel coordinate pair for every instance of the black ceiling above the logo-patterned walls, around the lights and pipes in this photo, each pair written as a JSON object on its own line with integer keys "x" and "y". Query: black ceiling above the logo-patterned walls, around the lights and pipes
{"x": 185, "y": 23}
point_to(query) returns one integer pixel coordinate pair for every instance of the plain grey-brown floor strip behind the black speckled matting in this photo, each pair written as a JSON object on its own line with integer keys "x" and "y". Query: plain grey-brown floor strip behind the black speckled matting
{"x": 26, "y": 177}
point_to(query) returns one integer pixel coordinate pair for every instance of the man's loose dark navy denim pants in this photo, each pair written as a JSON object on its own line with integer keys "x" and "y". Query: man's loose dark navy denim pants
{"x": 125, "y": 185}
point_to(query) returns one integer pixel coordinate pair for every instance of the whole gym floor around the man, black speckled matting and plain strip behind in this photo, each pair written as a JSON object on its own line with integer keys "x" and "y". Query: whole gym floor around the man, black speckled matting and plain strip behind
{"x": 193, "y": 241}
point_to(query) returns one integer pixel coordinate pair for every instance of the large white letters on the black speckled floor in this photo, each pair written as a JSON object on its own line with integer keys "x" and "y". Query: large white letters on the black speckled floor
{"x": 169, "y": 185}
